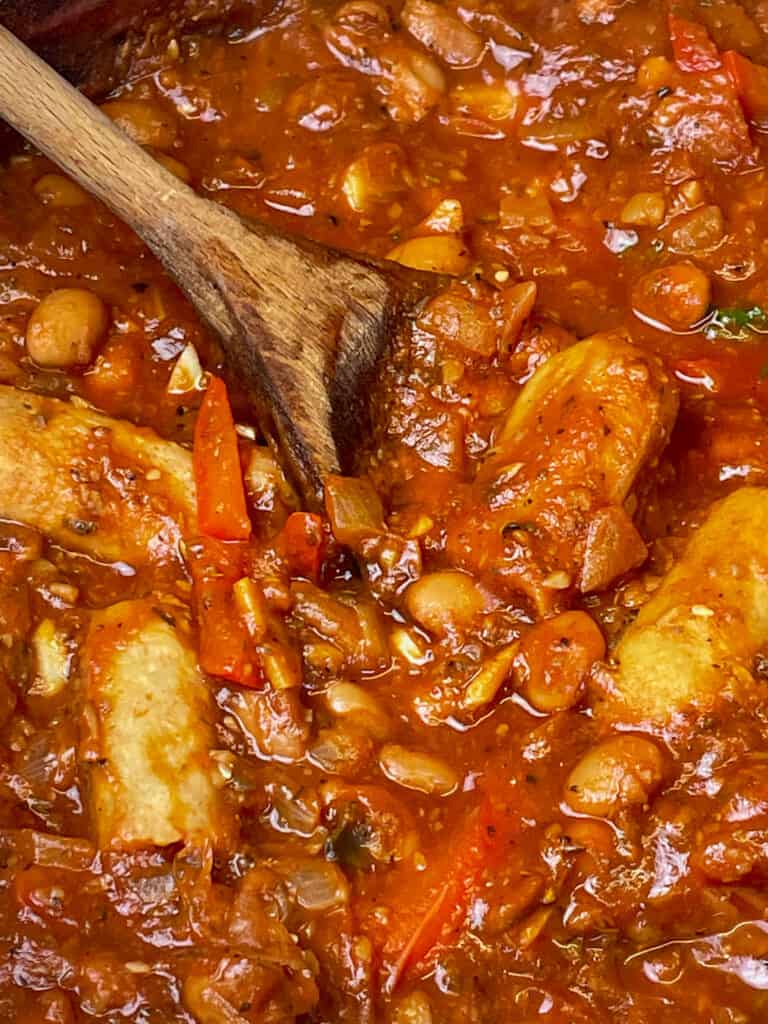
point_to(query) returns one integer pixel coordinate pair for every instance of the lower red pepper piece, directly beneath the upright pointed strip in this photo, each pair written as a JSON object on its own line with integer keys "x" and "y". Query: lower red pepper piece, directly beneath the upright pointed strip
{"x": 225, "y": 649}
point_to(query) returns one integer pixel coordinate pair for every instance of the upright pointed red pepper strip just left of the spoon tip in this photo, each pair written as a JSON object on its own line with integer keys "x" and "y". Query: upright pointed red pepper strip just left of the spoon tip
{"x": 222, "y": 500}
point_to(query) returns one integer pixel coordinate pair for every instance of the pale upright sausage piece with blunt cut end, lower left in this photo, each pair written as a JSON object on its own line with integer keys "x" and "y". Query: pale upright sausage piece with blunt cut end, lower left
{"x": 148, "y": 726}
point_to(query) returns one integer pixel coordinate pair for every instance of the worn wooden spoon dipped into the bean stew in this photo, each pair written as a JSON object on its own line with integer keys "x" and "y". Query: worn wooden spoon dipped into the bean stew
{"x": 303, "y": 326}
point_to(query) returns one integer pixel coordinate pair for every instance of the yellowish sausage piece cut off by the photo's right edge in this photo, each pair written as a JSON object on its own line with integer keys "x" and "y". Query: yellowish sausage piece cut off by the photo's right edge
{"x": 693, "y": 645}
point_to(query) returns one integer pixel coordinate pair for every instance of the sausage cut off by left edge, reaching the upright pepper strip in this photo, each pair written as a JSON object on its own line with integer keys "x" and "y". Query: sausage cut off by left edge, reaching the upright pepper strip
{"x": 93, "y": 484}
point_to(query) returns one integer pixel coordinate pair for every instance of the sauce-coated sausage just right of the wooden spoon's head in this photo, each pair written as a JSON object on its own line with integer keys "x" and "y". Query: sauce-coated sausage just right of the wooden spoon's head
{"x": 567, "y": 455}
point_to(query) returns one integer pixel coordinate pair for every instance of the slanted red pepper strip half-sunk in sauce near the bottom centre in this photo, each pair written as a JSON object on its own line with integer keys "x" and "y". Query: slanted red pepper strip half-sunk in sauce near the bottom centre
{"x": 481, "y": 846}
